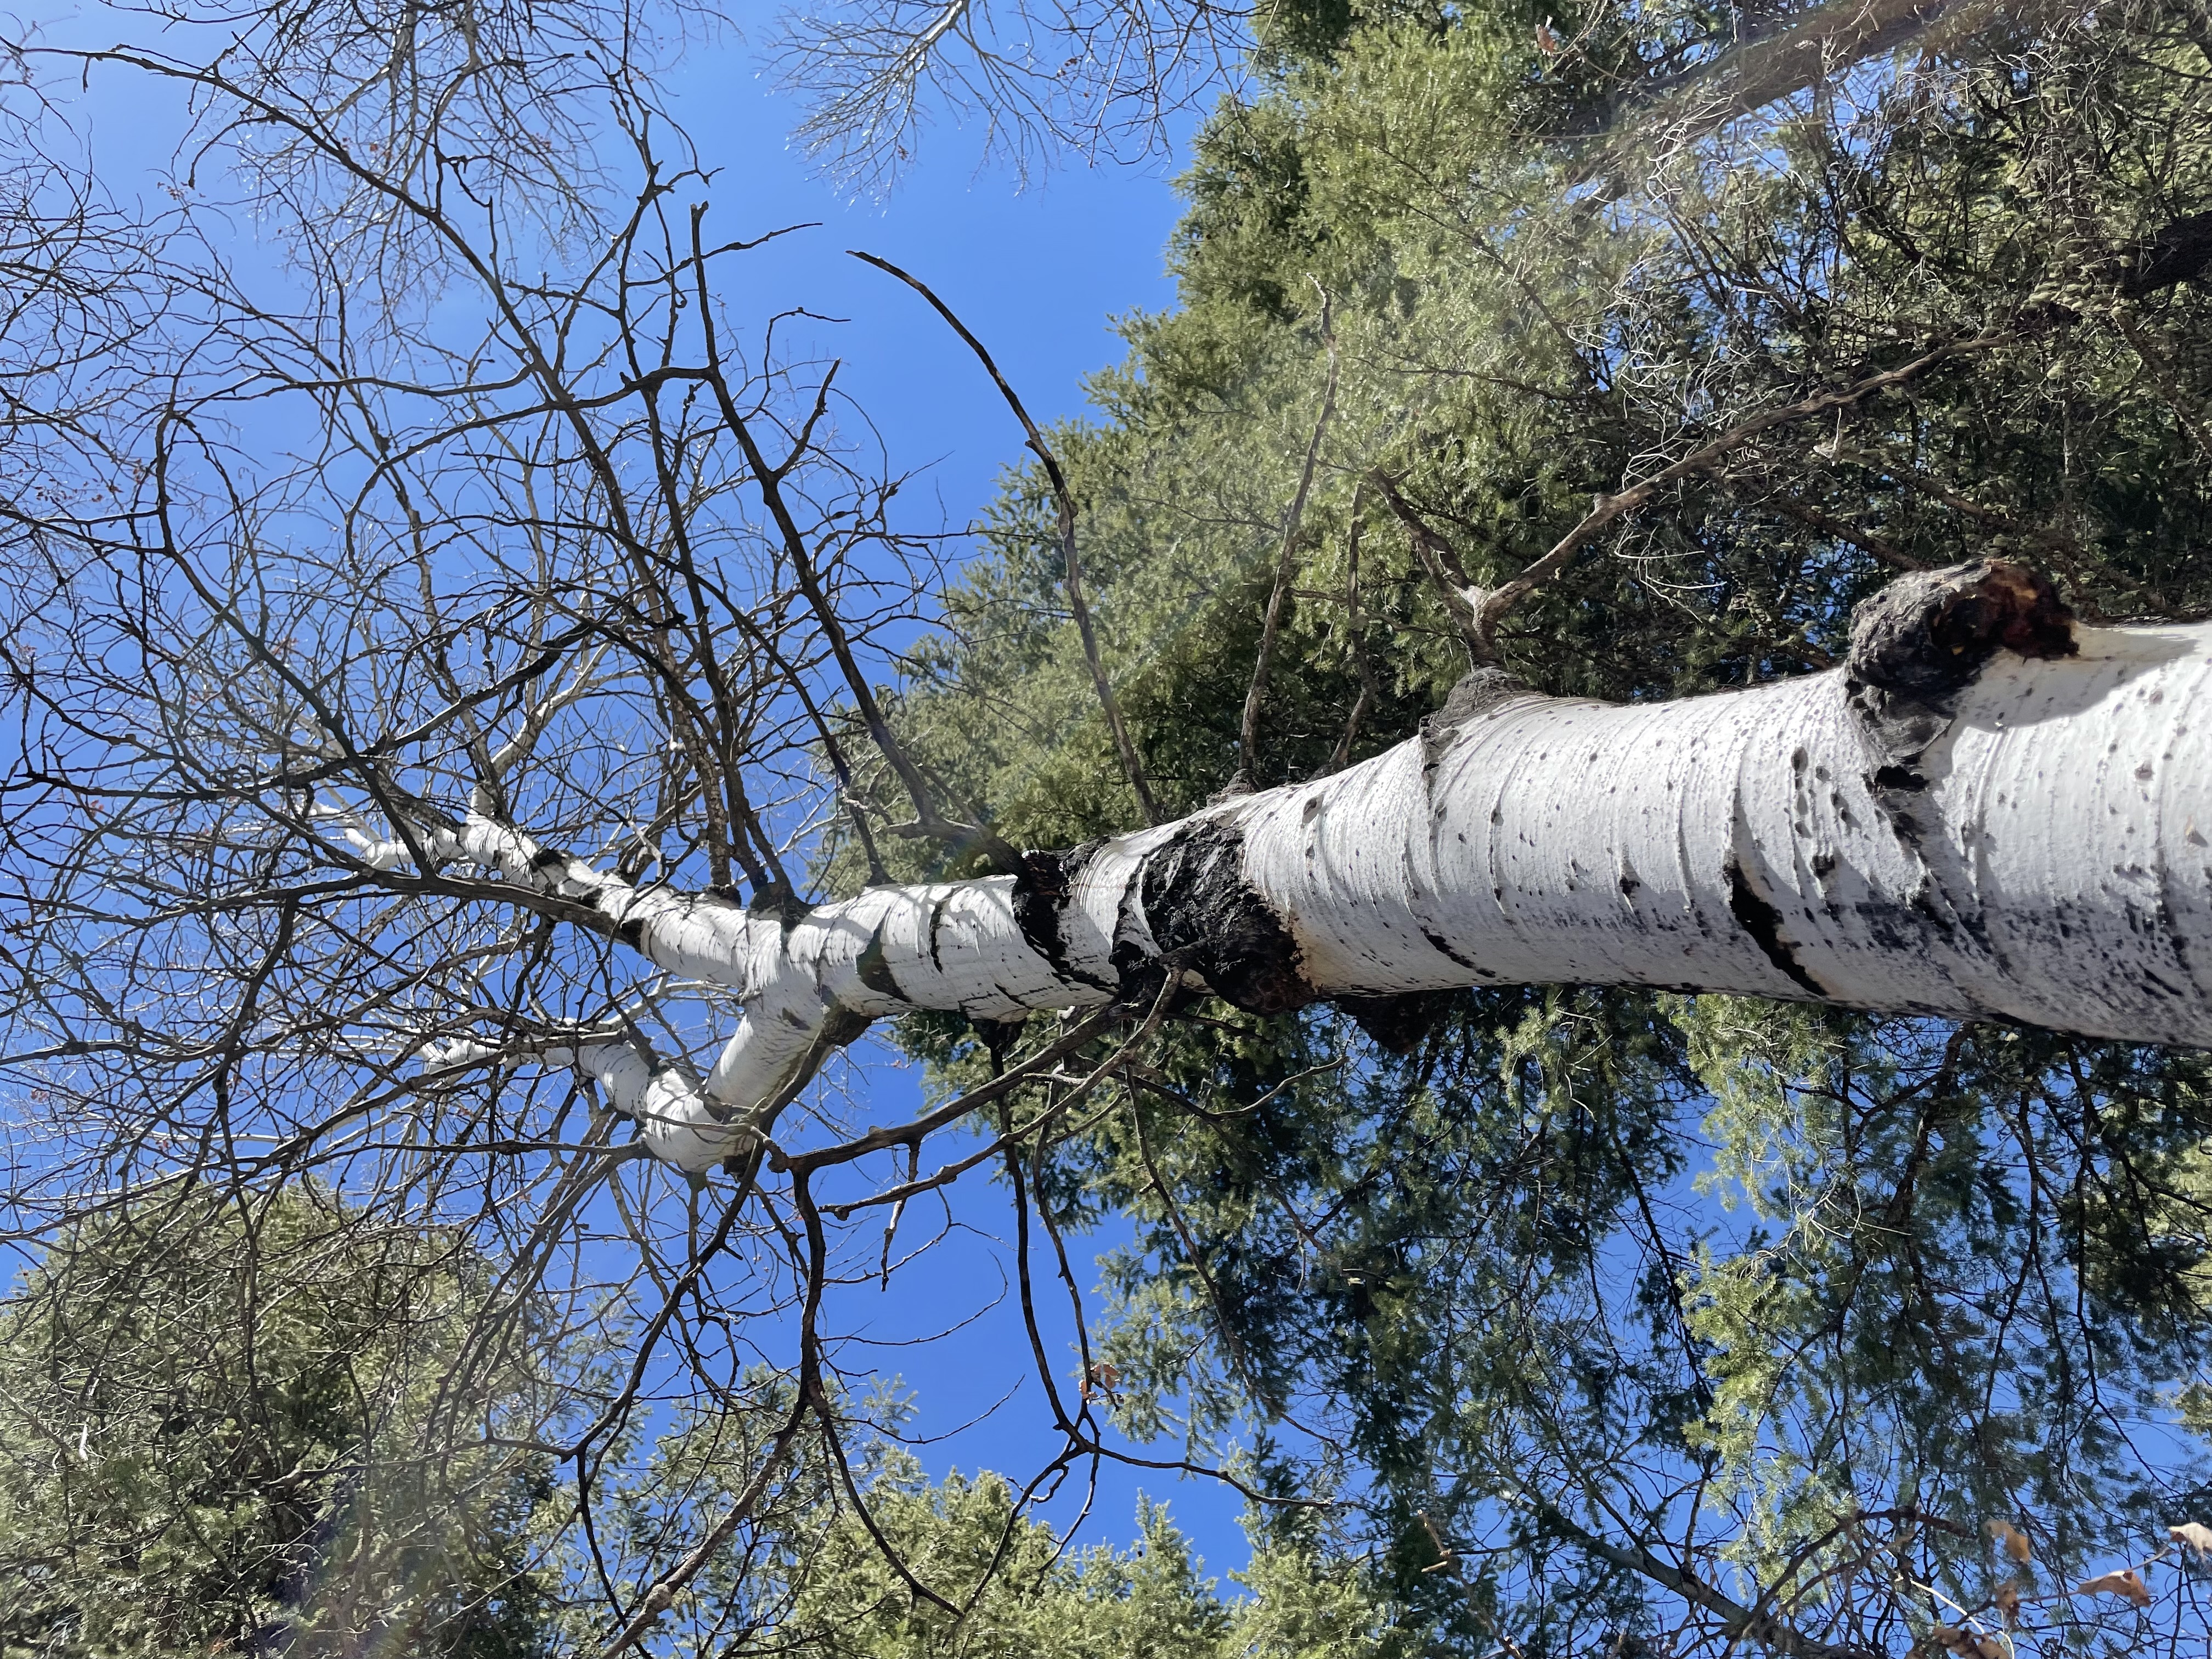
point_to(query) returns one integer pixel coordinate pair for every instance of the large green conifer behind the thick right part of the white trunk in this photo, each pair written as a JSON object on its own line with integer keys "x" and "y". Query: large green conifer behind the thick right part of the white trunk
{"x": 1556, "y": 1277}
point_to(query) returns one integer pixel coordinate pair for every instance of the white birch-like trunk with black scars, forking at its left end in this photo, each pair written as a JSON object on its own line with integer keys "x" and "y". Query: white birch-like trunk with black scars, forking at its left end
{"x": 1945, "y": 826}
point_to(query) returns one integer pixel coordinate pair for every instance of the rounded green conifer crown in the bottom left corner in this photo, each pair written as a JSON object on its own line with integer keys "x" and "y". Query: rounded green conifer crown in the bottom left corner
{"x": 229, "y": 1430}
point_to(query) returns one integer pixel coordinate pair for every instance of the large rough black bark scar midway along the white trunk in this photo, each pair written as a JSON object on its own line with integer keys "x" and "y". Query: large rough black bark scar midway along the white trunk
{"x": 1202, "y": 912}
